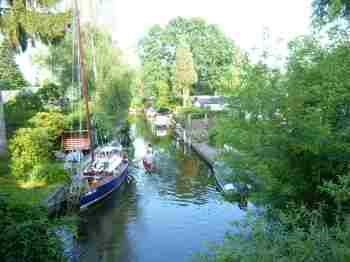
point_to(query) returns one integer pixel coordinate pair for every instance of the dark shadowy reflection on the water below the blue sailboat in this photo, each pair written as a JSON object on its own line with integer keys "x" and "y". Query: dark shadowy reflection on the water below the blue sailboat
{"x": 103, "y": 228}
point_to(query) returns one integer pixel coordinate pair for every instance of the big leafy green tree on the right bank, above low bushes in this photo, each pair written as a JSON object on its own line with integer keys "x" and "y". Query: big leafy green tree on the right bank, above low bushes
{"x": 293, "y": 128}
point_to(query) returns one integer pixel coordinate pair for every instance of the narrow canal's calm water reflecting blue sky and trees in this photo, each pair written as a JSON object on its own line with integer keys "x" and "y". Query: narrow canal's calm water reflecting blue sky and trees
{"x": 165, "y": 216}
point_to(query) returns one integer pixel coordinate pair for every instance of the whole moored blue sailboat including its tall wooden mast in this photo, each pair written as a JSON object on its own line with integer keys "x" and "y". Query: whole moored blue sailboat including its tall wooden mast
{"x": 107, "y": 168}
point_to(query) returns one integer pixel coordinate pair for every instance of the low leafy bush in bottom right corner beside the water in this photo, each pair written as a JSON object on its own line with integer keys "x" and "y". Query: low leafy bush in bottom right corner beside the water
{"x": 285, "y": 240}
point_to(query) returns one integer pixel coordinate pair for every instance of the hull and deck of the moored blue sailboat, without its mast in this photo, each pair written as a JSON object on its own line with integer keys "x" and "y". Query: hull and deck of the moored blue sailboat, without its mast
{"x": 106, "y": 174}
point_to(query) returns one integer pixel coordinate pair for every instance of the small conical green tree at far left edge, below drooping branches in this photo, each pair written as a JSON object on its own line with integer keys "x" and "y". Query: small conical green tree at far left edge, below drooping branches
{"x": 10, "y": 74}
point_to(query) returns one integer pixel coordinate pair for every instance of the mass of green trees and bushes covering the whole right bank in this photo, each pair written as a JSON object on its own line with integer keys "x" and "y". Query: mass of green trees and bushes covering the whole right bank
{"x": 292, "y": 130}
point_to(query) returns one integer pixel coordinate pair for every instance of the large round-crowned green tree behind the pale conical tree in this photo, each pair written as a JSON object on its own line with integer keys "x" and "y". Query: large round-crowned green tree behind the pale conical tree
{"x": 213, "y": 53}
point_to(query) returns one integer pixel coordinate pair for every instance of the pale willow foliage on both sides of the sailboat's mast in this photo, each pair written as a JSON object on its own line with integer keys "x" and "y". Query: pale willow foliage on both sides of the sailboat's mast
{"x": 110, "y": 80}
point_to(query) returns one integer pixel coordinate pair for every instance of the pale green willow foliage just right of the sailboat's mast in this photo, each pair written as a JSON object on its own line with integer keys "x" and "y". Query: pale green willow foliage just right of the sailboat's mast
{"x": 113, "y": 86}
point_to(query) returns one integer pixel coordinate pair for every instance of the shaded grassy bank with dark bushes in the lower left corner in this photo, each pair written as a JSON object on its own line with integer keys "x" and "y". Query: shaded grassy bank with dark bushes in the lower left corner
{"x": 27, "y": 218}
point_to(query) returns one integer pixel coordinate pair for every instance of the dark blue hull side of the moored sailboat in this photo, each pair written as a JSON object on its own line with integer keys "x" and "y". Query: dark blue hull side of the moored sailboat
{"x": 102, "y": 191}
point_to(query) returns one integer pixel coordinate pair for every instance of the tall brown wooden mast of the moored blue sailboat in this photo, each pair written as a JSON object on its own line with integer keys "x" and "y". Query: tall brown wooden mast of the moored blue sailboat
{"x": 85, "y": 84}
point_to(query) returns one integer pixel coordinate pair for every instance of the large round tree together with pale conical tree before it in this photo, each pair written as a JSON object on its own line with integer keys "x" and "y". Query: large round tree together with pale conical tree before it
{"x": 187, "y": 56}
